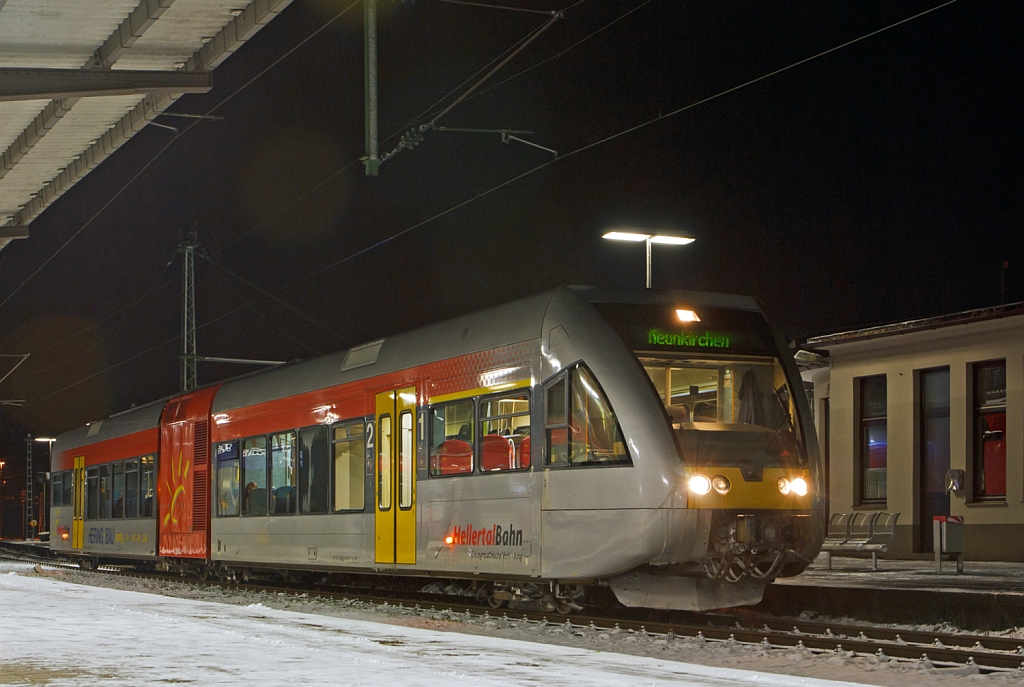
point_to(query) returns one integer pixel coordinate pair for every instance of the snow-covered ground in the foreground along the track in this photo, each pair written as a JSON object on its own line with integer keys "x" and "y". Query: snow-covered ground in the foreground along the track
{"x": 54, "y": 632}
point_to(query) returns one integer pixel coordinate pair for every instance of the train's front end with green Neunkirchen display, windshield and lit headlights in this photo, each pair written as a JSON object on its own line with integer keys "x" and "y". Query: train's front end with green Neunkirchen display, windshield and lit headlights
{"x": 736, "y": 407}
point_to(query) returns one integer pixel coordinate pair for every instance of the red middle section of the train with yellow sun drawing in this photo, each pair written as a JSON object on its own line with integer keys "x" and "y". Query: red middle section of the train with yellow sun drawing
{"x": 184, "y": 476}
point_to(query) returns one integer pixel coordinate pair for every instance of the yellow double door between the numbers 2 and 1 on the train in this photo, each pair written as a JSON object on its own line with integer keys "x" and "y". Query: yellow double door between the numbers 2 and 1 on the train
{"x": 396, "y": 474}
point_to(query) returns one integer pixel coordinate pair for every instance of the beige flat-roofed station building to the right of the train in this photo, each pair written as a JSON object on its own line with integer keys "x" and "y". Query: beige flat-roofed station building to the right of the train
{"x": 927, "y": 418}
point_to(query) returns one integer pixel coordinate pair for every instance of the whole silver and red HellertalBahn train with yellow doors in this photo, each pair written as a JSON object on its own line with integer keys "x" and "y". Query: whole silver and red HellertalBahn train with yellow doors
{"x": 675, "y": 465}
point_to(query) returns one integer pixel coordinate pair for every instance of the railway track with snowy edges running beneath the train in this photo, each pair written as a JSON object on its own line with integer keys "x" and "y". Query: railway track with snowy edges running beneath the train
{"x": 989, "y": 654}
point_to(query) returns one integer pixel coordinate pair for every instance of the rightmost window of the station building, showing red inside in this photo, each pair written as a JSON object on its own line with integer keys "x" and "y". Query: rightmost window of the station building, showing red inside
{"x": 991, "y": 431}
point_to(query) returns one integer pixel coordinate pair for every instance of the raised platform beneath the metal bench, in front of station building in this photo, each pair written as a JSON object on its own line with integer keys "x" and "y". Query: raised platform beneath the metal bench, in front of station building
{"x": 987, "y": 596}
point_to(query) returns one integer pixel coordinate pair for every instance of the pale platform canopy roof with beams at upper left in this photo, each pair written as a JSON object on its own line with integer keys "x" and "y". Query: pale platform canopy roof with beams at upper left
{"x": 79, "y": 78}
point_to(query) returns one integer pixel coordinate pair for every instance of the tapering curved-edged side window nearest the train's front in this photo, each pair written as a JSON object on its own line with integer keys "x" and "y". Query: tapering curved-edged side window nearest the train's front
{"x": 581, "y": 425}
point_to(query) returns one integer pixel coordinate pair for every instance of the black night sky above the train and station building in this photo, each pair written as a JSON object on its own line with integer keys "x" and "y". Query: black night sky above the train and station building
{"x": 877, "y": 184}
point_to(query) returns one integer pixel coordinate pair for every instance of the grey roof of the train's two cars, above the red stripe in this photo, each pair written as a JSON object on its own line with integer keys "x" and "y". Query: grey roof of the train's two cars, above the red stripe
{"x": 500, "y": 326}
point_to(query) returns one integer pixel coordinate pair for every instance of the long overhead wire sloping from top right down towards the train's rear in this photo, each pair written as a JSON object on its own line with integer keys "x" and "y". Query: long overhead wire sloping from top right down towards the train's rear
{"x": 549, "y": 163}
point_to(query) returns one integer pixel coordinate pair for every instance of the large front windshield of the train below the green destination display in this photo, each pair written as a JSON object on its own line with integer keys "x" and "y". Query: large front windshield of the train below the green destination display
{"x": 730, "y": 411}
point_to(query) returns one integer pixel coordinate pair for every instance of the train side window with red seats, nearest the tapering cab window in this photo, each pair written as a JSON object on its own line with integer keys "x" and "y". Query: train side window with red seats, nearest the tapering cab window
{"x": 505, "y": 433}
